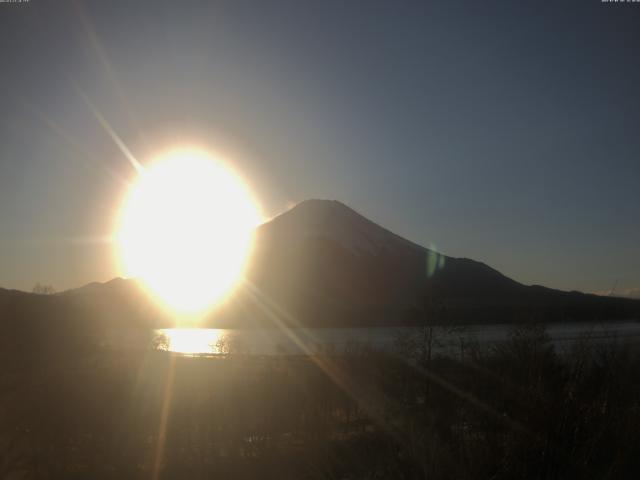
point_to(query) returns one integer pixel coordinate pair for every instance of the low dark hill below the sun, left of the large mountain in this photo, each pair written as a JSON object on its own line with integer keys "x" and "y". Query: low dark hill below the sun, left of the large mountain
{"x": 50, "y": 326}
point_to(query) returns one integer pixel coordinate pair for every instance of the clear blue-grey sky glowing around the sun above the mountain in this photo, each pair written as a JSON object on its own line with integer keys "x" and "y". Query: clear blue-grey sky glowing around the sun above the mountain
{"x": 503, "y": 131}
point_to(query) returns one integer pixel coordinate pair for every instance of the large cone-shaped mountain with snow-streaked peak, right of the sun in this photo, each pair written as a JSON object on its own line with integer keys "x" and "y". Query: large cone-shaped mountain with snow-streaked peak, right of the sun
{"x": 326, "y": 264}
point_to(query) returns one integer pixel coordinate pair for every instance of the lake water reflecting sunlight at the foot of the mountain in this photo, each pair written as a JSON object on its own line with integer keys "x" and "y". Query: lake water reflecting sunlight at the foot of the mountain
{"x": 339, "y": 340}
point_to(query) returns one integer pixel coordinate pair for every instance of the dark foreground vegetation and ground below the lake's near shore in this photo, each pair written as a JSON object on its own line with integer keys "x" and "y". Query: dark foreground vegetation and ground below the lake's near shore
{"x": 517, "y": 410}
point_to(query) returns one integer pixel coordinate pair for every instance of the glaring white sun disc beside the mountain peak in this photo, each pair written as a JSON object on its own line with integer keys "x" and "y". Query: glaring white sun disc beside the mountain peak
{"x": 186, "y": 230}
